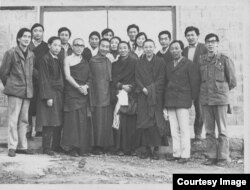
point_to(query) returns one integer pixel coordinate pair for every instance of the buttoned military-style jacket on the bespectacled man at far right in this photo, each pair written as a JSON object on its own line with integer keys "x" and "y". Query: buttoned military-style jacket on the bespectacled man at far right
{"x": 217, "y": 77}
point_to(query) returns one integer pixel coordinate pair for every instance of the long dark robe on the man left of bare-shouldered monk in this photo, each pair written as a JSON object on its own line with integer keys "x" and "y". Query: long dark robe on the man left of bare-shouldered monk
{"x": 50, "y": 83}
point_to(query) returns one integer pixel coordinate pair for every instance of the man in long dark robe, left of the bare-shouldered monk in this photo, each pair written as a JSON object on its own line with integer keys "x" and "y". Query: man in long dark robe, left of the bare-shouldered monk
{"x": 50, "y": 100}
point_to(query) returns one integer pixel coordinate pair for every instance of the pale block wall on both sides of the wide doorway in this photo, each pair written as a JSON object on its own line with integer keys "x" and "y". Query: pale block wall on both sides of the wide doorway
{"x": 227, "y": 21}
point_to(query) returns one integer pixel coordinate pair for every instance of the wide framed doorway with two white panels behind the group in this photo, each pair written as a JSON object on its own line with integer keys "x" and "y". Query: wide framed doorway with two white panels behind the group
{"x": 83, "y": 20}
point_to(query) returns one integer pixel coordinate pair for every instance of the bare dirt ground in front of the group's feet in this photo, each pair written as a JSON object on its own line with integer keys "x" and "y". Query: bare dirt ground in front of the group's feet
{"x": 103, "y": 169}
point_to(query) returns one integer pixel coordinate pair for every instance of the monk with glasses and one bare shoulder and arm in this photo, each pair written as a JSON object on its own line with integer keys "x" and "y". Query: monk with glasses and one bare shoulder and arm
{"x": 77, "y": 126}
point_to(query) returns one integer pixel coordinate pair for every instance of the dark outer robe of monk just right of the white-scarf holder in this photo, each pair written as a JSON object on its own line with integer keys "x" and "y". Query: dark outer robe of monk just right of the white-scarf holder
{"x": 150, "y": 75}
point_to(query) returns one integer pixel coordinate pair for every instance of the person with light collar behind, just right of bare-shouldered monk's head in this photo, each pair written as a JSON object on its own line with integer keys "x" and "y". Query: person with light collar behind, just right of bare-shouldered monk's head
{"x": 94, "y": 39}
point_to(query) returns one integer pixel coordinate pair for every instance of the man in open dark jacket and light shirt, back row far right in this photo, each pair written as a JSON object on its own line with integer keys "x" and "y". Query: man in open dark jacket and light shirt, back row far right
{"x": 193, "y": 52}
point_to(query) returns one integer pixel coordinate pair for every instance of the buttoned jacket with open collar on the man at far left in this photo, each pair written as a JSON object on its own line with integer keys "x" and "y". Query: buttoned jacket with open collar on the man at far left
{"x": 16, "y": 73}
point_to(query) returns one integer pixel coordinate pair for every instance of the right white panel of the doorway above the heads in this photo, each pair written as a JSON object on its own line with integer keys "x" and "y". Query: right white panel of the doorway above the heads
{"x": 150, "y": 22}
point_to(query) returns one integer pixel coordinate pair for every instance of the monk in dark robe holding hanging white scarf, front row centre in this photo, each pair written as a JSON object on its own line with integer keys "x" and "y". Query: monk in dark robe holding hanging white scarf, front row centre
{"x": 123, "y": 79}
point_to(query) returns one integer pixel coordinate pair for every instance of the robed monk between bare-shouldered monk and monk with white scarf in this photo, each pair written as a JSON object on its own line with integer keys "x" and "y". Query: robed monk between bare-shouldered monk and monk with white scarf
{"x": 100, "y": 67}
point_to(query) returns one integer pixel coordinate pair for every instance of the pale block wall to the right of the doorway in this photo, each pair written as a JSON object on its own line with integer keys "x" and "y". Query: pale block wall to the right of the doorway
{"x": 228, "y": 23}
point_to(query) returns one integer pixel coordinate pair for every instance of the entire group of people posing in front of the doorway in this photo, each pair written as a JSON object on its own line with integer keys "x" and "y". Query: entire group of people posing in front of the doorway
{"x": 117, "y": 95}
